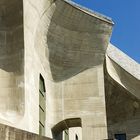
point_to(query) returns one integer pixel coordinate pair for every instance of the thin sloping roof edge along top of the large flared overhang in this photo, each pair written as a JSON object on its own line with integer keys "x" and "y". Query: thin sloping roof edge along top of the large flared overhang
{"x": 90, "y": 12}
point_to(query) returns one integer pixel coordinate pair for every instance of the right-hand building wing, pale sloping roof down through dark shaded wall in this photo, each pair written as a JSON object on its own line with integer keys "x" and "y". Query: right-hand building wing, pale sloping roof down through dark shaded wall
{"x": 122, "y": 86}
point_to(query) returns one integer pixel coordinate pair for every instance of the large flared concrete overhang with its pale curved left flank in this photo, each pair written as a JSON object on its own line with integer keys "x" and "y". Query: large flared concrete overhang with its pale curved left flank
{"x": 75, "y": 39}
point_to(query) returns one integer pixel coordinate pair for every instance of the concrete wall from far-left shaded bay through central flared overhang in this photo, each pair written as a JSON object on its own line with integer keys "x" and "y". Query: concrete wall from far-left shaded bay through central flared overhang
{"x": 64, "y": 43}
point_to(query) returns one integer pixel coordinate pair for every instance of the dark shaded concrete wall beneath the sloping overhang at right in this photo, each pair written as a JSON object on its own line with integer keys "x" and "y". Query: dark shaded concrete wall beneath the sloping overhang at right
{"x": 123, "y": 110}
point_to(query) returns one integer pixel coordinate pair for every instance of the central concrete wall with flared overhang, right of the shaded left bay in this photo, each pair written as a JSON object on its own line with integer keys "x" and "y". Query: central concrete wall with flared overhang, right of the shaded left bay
{"x": 67, "y": 46}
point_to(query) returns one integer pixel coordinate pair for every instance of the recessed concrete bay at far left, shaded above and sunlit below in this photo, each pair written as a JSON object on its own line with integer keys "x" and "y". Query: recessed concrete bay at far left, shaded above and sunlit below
{"x": 11, "y": 59}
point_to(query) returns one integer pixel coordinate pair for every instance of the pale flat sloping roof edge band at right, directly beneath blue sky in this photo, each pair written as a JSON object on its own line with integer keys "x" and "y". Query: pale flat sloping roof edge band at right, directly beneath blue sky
{"x": 124, "y": 61}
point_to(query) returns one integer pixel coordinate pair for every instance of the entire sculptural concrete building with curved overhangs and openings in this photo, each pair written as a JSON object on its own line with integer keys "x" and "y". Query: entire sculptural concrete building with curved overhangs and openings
{"x": 61, "y": 78}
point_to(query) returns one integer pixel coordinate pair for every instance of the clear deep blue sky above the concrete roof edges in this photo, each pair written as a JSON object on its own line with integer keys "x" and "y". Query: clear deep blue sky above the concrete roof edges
{"x": 126, "y": 16}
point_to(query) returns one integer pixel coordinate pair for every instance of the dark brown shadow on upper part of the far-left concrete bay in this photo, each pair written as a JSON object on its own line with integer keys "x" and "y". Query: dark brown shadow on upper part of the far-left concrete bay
{"x": 11, "y": 36}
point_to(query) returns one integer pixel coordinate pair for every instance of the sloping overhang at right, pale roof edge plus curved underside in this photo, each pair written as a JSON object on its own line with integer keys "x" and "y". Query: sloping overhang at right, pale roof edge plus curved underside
{"x": 123, "y": 70}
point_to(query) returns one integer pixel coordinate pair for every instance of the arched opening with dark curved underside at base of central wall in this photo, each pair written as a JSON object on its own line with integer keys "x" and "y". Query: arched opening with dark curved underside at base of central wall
{"x": 68, "y": 129}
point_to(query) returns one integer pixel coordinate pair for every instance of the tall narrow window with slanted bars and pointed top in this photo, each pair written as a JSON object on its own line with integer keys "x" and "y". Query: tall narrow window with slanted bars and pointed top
{"x": 42, "y": 106}
